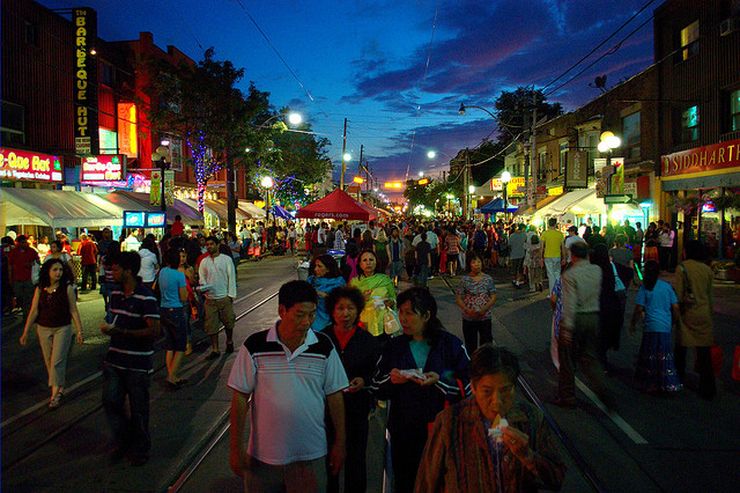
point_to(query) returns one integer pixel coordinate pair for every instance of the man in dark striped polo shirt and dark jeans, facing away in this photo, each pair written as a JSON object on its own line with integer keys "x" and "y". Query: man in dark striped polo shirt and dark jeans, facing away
{"x": 128, "y": 365}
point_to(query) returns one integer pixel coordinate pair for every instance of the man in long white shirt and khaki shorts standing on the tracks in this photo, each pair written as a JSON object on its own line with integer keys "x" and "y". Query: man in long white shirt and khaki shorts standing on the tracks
{"x": 218, "y": 282}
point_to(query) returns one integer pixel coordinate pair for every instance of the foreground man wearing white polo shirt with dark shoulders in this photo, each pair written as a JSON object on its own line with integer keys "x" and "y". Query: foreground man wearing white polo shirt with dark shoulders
{"x": 291, "y": 373}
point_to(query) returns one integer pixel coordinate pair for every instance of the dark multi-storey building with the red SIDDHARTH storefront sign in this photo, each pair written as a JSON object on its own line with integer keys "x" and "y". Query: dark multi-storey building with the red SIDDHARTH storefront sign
{"x": 697, "y": 51}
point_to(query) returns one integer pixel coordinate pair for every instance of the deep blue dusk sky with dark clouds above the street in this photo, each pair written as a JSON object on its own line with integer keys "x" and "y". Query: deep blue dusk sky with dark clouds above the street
{"x": 397, "y": 69}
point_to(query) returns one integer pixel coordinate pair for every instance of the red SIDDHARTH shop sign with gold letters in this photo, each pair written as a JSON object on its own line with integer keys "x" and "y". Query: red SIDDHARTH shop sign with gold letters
{"x": 719, "y": 156}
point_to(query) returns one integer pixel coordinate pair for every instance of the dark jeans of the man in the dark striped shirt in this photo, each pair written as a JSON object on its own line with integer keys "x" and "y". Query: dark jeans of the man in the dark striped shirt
{"x": 129, "y": 433}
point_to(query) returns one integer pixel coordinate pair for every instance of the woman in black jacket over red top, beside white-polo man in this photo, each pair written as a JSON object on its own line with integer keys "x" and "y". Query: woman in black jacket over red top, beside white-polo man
{"x": 359, "y": 352}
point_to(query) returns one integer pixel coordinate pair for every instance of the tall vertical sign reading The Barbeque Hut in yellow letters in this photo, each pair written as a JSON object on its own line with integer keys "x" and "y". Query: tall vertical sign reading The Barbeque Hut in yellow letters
{"x": 85, "y": 82}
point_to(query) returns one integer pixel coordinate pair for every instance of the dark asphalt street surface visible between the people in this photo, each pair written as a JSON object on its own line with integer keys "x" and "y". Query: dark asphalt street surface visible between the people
{"x": 681, "y": 443}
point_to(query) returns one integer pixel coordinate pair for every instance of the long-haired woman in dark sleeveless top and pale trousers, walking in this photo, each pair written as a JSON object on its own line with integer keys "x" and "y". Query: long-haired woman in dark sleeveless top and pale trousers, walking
{"x": 54, "y": 311}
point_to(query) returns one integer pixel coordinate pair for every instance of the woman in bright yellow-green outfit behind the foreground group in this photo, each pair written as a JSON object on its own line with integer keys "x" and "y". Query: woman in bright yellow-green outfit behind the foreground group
{"x": 379, "y": 292}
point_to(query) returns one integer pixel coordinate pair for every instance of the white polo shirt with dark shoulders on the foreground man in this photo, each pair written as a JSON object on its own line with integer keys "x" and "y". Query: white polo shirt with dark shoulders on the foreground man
{"x": 289, "y": 394}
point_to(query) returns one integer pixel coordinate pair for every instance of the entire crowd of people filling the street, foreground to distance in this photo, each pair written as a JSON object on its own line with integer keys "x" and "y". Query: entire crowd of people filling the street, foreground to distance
{"x": 348, "y": 342}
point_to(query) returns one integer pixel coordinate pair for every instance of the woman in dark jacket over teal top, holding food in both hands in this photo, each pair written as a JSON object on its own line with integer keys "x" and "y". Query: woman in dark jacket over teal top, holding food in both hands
{"x": 418, "y": 372}
